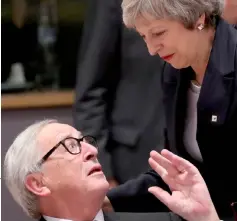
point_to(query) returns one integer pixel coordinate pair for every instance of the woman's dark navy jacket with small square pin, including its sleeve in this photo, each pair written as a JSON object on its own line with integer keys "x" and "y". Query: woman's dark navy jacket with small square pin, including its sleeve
{"x": 217, "y": 140}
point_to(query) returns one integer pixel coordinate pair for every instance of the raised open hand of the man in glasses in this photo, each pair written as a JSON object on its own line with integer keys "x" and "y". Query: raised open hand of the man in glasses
{"x": 189, "y": 196}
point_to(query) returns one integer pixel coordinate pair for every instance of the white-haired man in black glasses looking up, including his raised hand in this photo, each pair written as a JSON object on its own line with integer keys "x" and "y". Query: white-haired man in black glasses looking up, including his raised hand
{"x": 53, "y": 173}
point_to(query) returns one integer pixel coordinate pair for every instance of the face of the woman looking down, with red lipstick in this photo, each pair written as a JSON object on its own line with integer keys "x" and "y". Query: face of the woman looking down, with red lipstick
{"x": 169, "y": 39}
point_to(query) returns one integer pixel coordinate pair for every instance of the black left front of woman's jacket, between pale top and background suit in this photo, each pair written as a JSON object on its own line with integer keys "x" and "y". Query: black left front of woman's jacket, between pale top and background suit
{"x": 176, "y": 83}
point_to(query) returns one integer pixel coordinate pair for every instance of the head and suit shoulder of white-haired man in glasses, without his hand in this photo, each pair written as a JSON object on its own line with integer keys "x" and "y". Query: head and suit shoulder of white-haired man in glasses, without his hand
{"x": 53, "y": 173}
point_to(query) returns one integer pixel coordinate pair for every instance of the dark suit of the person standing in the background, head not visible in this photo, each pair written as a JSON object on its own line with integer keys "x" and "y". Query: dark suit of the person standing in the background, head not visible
{"x": 118, "y": 92}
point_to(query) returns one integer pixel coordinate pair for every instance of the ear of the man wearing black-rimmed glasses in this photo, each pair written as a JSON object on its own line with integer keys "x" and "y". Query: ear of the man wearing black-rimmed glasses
{"x": 35, "y": 185}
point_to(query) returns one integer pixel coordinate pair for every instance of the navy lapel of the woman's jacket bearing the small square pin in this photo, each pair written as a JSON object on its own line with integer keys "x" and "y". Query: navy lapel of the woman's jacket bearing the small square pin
{"x": 215, "y": 98}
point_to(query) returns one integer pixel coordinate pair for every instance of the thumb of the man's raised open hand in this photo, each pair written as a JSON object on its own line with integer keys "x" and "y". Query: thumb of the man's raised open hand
{"x": 162, "y": 195}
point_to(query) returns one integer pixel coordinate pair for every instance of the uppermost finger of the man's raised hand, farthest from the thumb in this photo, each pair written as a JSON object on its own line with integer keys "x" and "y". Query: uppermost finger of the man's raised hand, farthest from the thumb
{"x": 180, "y": 163}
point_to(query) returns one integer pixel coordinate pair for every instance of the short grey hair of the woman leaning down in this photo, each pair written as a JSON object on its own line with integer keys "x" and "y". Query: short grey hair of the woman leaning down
{"x": 184, "y": 11}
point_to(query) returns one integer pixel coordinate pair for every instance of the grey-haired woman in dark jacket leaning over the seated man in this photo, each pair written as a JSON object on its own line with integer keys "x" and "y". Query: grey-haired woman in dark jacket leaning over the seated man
{"x": 200, "y": 95}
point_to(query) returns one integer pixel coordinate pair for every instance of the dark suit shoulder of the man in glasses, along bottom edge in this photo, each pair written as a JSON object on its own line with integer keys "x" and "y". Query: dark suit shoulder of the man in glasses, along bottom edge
{"x": 138, "y": 217}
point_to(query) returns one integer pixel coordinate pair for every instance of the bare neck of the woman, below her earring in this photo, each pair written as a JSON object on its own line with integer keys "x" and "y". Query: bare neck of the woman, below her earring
{"x": 203, "y": 54}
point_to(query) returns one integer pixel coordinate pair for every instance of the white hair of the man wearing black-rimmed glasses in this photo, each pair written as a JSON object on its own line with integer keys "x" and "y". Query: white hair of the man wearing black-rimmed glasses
{"x": 21, "y": 159}
